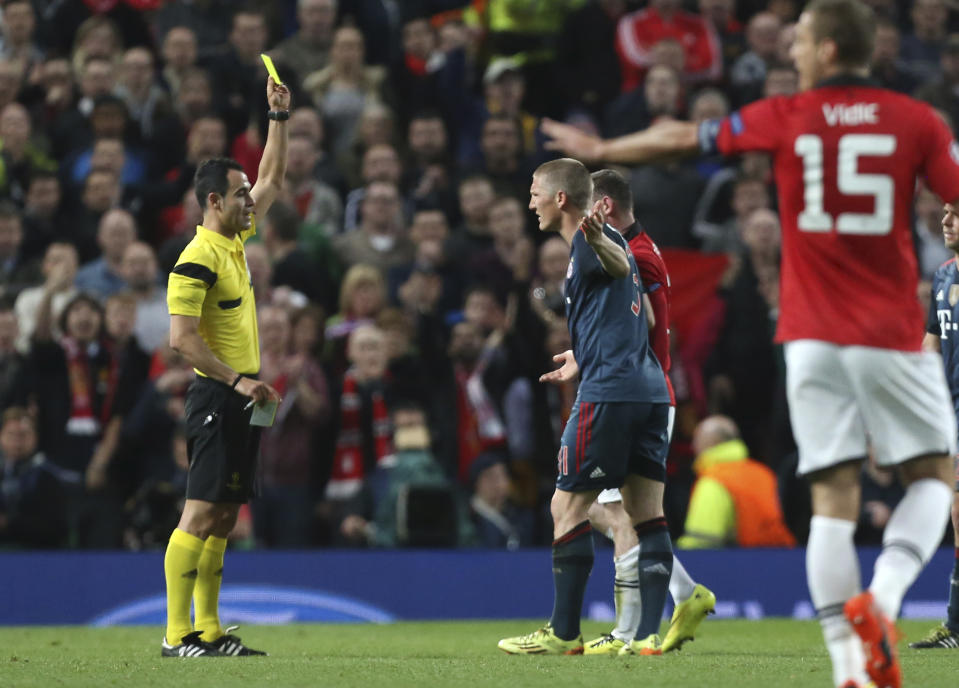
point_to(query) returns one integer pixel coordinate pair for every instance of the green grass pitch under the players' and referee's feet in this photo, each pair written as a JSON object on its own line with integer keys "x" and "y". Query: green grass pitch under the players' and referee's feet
{"x": 744, "y": 654}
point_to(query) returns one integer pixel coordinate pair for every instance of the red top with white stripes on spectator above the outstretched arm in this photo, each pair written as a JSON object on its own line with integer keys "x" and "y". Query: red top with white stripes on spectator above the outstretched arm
{"x": 637, "y": 33}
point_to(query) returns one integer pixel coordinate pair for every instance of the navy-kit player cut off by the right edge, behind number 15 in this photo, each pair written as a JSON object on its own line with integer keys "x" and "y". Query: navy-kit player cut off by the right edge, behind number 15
{"x": 942, "y": 334}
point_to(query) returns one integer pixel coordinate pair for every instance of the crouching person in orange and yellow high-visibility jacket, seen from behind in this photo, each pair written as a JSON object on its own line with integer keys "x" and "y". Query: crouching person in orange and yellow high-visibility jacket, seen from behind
{"x": 735, "y": 501}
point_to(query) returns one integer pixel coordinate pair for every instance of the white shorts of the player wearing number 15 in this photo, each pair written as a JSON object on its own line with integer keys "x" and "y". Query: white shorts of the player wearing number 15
{"x": 846, "y": 400}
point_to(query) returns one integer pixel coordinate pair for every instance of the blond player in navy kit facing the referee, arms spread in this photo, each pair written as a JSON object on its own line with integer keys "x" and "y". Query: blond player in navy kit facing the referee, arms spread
{"x": 616, "y": 435}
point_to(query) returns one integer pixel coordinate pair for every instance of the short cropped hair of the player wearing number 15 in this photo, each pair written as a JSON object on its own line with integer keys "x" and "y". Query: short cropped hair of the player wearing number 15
{"x": 850, "y": 24}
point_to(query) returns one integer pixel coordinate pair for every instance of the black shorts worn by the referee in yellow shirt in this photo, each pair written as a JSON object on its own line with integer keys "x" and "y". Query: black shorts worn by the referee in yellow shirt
{"x": 221, "y": 443}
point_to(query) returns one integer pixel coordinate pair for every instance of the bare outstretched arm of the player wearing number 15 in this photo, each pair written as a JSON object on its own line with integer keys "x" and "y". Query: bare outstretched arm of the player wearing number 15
{"x": 664, "y": 139}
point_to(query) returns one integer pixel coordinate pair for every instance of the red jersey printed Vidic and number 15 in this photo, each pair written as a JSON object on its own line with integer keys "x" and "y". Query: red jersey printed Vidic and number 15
{"x": 846, "y": 156}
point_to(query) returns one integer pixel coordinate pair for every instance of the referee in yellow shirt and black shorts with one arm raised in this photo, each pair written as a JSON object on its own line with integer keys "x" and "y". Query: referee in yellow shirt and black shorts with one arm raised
{"x": 213, "y": 324}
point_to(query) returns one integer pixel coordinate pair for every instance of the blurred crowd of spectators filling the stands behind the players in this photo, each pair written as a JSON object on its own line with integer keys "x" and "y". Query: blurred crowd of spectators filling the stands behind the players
{"x": 407, "y": 305}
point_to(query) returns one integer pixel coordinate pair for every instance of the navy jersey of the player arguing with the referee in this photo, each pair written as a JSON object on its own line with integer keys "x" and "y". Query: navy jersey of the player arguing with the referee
{"x": 607, "y": 324}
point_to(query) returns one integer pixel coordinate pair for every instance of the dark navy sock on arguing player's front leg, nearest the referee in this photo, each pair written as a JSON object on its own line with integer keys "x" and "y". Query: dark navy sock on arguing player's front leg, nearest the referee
{"x": 572, "y": 562}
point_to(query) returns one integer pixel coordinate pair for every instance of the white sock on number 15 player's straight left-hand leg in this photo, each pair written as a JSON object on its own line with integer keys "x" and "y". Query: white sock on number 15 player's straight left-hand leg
{"x": 832, "y": 571}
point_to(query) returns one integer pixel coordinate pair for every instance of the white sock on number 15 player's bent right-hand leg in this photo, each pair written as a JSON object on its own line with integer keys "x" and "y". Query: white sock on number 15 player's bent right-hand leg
{"x": 913, "y": 533}
